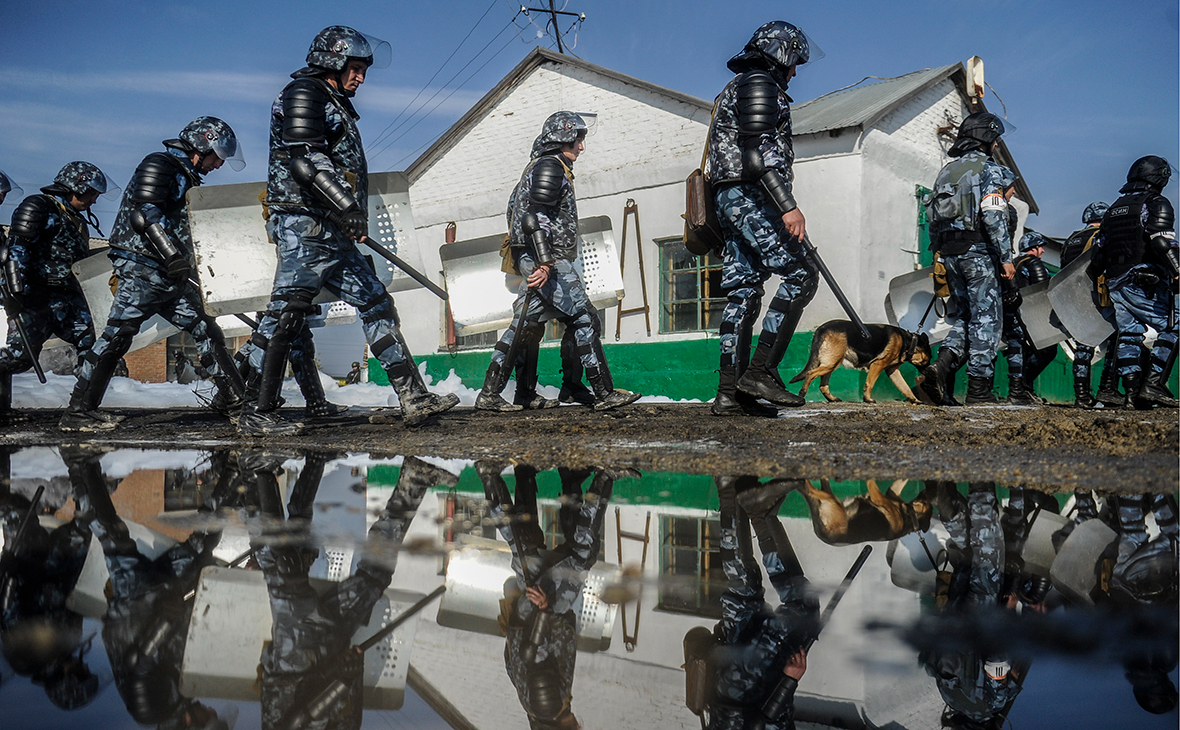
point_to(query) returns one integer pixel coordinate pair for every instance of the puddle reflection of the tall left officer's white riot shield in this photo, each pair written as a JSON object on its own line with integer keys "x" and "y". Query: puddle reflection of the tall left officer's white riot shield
{"x": 232, "y": 621}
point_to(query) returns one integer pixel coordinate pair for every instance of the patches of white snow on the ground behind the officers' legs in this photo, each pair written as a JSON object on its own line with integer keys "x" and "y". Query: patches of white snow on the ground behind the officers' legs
{"x": 127, "y": 393}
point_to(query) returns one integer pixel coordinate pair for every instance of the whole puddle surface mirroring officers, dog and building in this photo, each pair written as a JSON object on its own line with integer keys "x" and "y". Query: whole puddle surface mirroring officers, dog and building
{"x": 213, "y": 589}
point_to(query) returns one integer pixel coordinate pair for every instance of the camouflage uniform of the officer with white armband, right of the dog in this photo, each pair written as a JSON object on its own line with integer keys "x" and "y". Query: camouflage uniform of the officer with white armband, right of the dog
{"x": 973, "y": 277}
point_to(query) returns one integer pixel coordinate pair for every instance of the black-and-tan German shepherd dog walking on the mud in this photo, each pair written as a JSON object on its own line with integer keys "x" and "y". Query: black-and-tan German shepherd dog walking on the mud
{"x": 887, "y": 348}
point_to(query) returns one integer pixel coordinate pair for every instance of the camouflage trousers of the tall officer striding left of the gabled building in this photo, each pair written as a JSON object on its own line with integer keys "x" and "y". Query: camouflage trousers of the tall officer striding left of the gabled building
{"x": 314, "y": 255}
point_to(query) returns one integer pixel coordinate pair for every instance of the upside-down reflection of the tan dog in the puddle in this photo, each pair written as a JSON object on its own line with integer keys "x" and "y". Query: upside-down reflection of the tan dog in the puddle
{"x": 866, "y": 518}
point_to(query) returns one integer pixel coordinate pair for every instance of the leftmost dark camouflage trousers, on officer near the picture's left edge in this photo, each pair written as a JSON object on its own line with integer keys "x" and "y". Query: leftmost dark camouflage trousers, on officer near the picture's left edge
{"x": 60, "y": 313}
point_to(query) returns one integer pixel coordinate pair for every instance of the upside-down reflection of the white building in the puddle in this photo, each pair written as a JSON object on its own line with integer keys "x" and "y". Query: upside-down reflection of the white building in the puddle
{"x": 646, "y": 687}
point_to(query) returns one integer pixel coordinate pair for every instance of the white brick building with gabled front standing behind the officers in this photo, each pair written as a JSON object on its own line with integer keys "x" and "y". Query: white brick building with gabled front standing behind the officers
{"x": 862, "y": 155}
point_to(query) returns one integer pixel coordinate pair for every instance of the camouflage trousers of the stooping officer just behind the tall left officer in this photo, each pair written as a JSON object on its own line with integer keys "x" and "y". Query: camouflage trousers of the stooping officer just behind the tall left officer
{"x": 142, "y": 293}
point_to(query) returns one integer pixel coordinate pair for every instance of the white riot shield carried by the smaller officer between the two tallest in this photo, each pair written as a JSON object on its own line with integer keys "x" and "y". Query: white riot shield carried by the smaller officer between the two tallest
{"x": 482, "y": 295}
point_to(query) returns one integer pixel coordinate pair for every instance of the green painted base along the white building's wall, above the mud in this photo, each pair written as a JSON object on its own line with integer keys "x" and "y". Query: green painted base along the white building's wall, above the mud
{"x": 689, "y": 370}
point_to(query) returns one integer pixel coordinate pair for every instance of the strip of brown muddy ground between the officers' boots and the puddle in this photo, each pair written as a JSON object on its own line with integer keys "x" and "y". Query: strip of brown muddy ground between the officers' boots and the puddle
{"x": 1057, "y": 448}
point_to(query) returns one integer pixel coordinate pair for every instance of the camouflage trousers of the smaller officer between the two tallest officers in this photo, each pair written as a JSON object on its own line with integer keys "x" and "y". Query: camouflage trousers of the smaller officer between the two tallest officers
{"x": 563, "y": 298}
